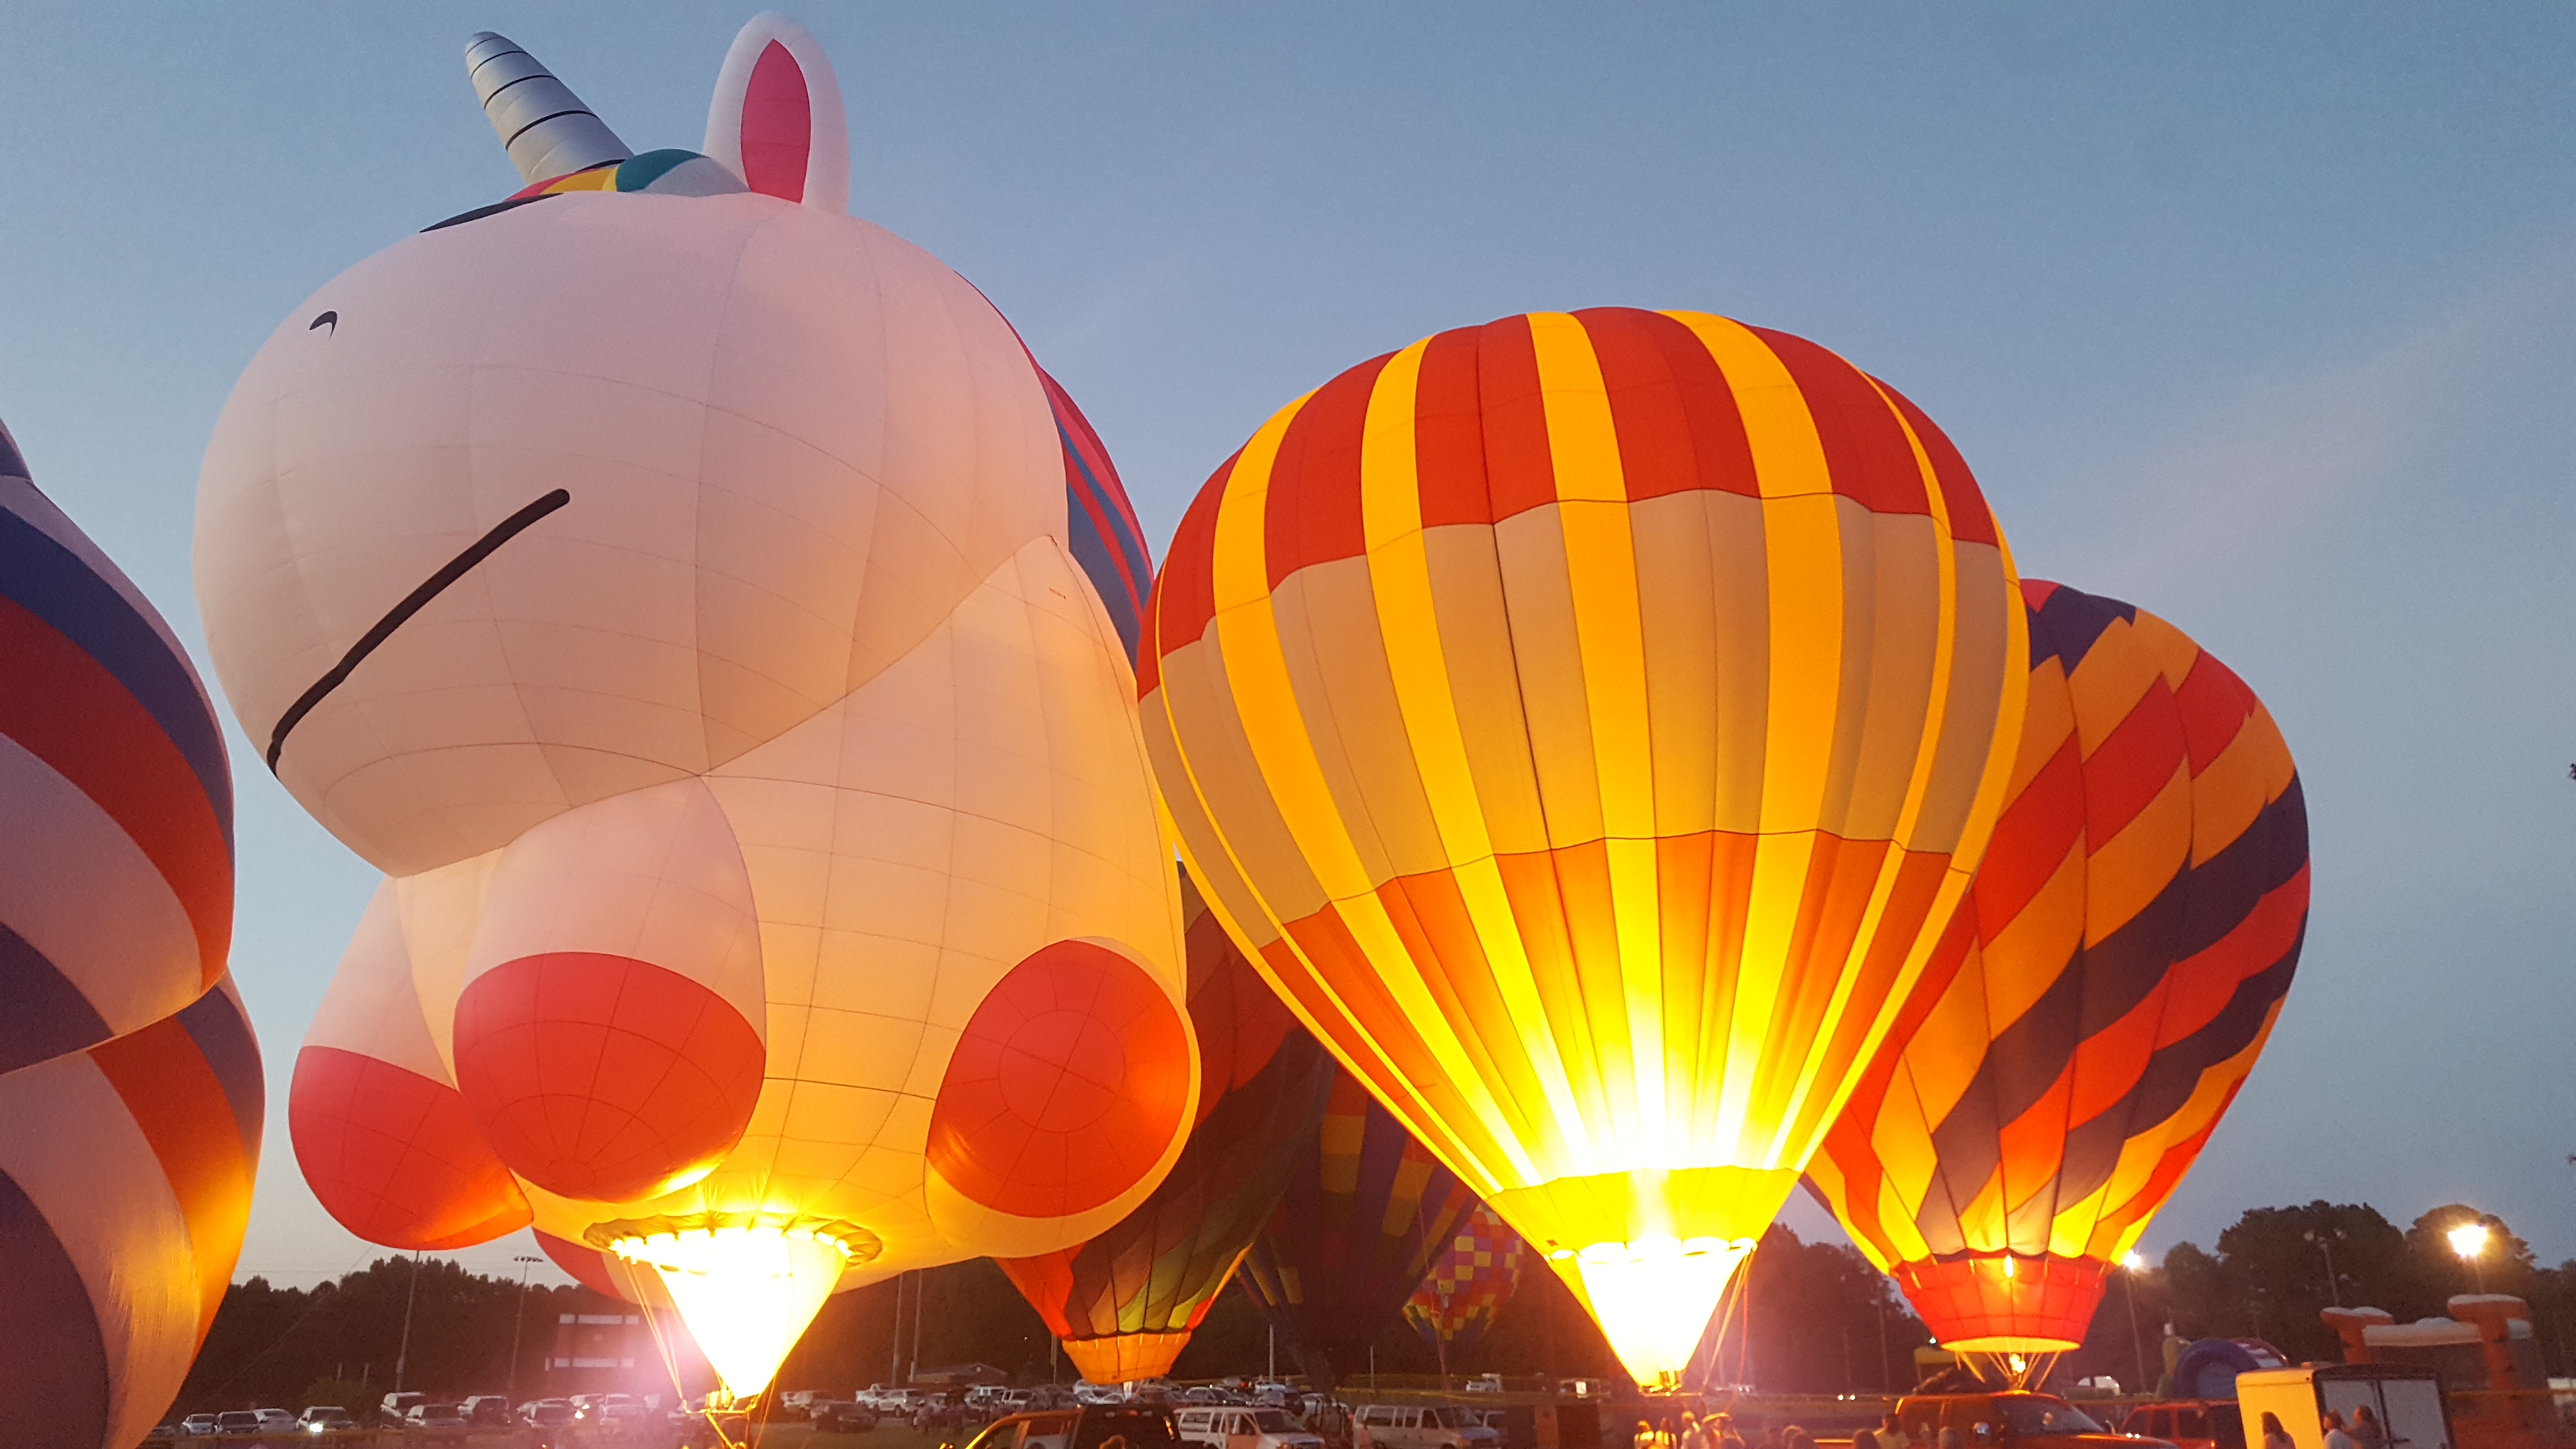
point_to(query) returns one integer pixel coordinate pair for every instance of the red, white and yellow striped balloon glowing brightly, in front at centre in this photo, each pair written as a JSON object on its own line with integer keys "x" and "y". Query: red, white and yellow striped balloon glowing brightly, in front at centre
{"x": 1591, "y": 723}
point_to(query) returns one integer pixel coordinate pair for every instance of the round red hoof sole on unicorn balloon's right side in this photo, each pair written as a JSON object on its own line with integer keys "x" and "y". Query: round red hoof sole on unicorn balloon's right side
{"x": 1065, "y": 1089}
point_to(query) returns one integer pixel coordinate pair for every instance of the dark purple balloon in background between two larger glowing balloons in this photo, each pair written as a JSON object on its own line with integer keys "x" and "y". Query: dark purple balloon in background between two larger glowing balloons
{"x": 1364, "y": 1218}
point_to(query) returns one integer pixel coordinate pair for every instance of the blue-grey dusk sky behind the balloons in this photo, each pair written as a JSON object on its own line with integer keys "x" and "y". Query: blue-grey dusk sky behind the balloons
{"x": 2263, "y": 318}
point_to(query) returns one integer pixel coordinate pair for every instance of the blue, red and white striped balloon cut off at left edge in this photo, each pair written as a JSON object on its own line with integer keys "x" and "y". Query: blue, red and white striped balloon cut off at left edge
{"x": 130, "y": 1082}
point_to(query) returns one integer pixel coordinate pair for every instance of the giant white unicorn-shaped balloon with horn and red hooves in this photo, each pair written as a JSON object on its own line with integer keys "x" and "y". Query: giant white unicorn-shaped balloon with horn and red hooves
{"x": 705, "y": 615}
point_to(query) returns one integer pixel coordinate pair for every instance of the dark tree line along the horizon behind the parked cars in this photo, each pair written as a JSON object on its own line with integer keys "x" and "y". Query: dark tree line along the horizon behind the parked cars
{"x": 1799, "y": 1319}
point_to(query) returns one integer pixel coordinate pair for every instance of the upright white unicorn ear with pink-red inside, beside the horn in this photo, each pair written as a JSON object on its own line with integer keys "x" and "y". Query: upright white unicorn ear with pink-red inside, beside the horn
{"x": 777, "y": 117}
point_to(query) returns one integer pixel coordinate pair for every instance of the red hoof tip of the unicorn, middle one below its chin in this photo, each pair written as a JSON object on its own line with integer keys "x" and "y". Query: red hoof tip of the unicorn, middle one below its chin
{"x": 601, "y": 1076}
